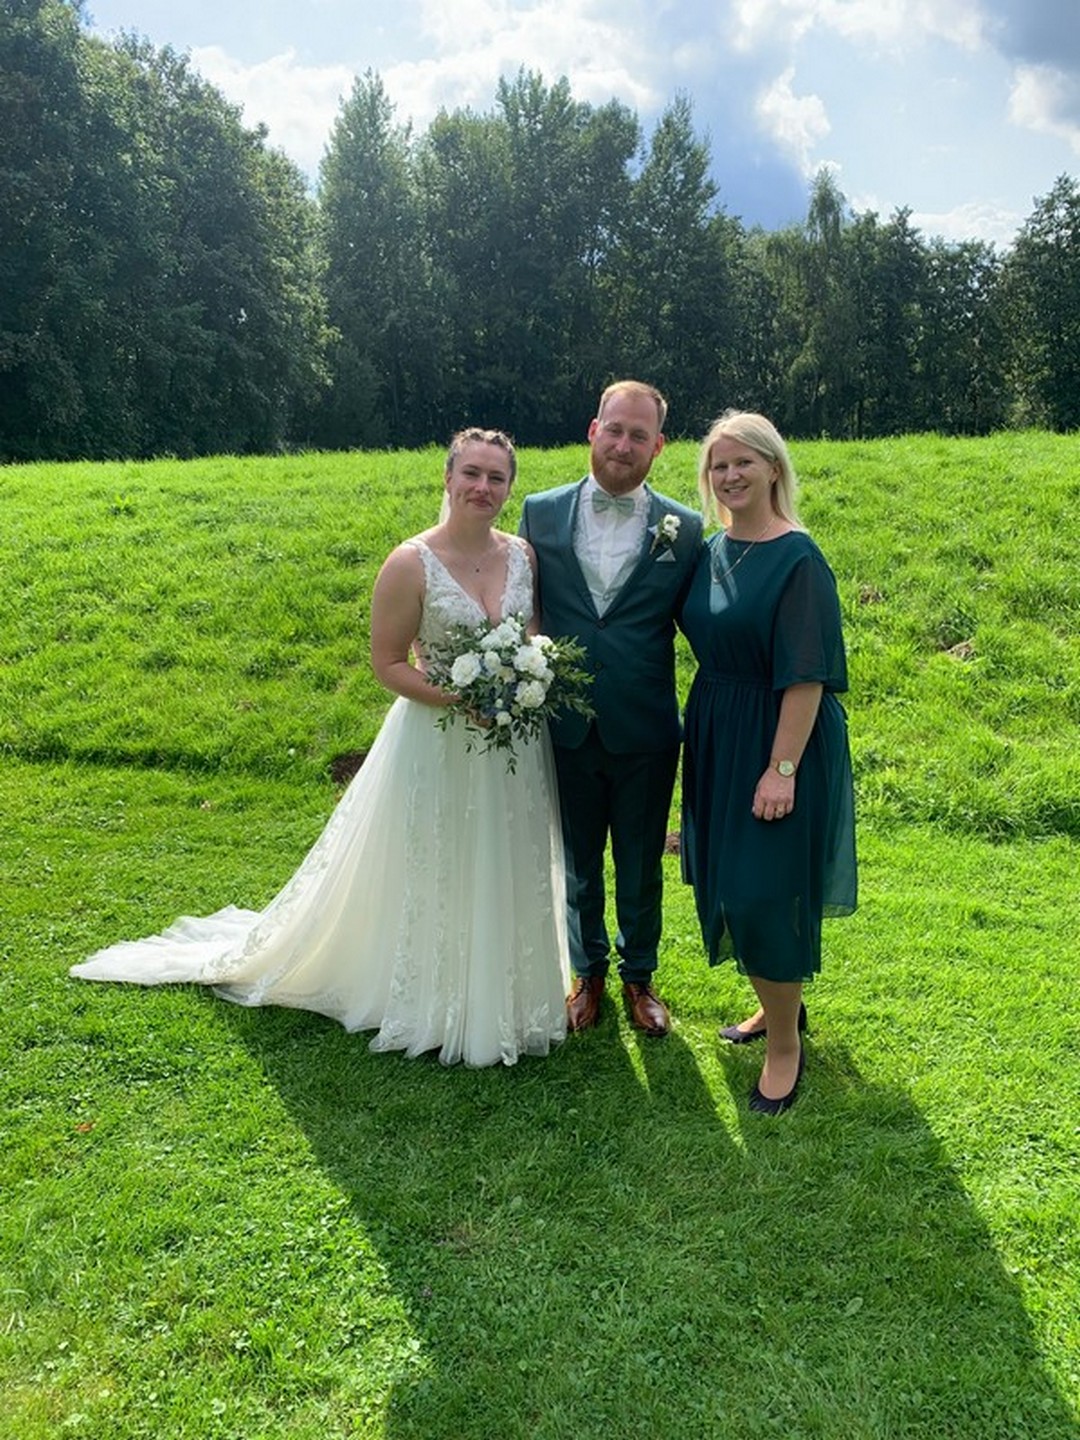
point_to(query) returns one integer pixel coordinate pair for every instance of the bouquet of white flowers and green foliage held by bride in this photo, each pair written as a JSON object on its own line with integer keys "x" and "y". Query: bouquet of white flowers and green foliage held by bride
{"x": 508, "y": 683}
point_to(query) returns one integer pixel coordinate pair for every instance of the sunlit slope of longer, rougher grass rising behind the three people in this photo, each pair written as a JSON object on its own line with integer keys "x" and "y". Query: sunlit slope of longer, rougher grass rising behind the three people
{"x": 212, "y": 616}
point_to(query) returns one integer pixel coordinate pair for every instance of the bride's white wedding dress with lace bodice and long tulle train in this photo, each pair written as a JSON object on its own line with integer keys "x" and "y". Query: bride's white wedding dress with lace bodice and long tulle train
{"x": 431, "y": 909}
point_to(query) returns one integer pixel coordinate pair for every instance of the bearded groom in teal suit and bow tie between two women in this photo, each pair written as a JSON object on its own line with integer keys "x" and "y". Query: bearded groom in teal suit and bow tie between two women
{"x": 614, "y": 561}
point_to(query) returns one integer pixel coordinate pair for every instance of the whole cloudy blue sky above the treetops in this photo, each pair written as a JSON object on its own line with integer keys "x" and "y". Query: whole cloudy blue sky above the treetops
{"x": 963, "y": 112}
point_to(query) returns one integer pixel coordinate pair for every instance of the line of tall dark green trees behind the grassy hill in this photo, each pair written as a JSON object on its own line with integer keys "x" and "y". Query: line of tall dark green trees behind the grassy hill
{"x": 171, "y": 284}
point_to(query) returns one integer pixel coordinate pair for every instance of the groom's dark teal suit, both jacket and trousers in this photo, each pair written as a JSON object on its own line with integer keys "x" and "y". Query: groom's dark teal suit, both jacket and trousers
{"x": 618, "y": 771}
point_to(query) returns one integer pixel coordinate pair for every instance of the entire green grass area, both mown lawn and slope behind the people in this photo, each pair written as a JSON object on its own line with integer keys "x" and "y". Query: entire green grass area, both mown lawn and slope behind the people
{"x": 230, "y": 1223}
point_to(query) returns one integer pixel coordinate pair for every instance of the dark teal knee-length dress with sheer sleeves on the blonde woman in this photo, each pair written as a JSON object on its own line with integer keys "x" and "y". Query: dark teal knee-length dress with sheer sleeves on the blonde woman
{"x": 761, "y": 618}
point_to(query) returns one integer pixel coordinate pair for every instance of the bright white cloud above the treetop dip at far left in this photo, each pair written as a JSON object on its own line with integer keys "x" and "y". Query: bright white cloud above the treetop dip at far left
{"x": 297, "y": 103}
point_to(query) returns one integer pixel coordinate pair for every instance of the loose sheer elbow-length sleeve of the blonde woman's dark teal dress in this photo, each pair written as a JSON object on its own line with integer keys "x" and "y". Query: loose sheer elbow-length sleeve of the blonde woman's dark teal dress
{"x": 809, "y": 642}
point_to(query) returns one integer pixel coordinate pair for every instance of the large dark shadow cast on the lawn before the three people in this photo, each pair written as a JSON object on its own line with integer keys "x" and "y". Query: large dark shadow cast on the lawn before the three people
{"x": 606, "y": 1243}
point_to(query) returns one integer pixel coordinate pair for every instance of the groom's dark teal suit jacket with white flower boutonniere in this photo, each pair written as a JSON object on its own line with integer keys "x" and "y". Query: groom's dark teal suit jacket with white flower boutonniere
{"x": 630, "y": 649}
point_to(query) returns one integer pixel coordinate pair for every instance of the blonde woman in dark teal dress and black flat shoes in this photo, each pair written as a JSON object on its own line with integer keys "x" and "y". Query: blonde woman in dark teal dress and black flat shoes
{"x": 768, "y": 803}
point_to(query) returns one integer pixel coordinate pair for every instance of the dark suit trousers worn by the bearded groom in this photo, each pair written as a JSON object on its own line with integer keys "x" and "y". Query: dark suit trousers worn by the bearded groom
{"x": 627, "y": 798}
